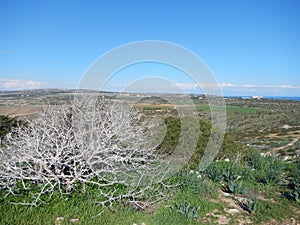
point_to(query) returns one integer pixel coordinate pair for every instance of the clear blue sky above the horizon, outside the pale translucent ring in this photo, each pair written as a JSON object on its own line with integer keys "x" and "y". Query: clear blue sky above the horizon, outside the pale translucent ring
{"x": 252, "y": 47}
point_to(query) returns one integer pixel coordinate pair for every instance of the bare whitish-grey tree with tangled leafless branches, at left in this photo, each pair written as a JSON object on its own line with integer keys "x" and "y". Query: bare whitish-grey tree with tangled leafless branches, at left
{"x": 94, "y": 141}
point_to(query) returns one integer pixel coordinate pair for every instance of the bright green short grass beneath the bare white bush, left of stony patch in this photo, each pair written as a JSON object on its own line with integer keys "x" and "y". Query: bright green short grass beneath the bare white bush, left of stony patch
{"x": 81, "y": 206}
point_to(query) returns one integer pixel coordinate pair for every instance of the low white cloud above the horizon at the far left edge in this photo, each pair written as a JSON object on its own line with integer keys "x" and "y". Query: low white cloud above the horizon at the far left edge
{"x": 18, "y": 84}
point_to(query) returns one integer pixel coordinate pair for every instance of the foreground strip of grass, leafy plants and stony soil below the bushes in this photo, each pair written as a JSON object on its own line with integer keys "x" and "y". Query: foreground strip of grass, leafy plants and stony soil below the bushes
{"x": 193, "y": 200}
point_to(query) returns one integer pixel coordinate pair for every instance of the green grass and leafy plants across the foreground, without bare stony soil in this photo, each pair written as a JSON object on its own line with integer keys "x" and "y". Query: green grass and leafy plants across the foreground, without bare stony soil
{"x": 203, "y": 192}
